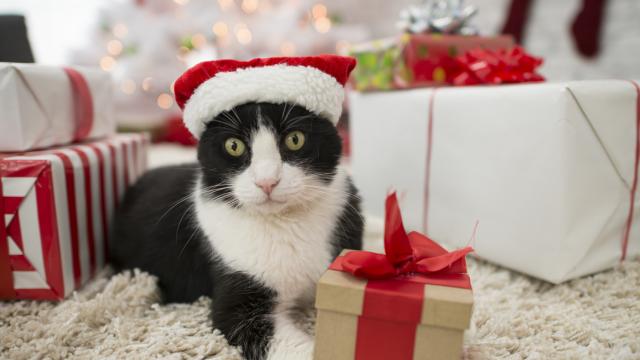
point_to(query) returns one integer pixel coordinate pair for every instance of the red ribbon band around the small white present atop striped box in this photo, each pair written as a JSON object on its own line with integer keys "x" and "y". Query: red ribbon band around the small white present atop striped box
{"x": 82, "y": 104}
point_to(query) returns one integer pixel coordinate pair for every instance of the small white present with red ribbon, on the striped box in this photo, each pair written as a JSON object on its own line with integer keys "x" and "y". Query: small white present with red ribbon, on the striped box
{"x": 44, "y": 106}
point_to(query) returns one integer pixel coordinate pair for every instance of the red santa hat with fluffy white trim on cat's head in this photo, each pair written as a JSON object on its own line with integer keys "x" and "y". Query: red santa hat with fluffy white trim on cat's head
{"x": 212, "y": 87}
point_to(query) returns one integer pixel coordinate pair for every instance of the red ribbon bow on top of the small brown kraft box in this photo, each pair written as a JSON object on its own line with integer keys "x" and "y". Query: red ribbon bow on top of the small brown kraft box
{"x": 404, "y": 253}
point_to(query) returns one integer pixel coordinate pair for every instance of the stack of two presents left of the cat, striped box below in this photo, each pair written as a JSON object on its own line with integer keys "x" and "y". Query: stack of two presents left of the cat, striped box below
{"x": 63, "y": 171}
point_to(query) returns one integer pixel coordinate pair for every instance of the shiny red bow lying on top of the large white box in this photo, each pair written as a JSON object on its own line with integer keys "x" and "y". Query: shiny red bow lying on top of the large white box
{"x": 504, "y": 66}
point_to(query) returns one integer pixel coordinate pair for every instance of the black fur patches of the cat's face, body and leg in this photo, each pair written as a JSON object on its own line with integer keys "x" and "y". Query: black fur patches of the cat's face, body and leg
{"x": 156, "y": 229}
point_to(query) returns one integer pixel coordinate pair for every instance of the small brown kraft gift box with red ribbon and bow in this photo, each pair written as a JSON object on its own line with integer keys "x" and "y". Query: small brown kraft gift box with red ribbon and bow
{"x": 416, "y": 309}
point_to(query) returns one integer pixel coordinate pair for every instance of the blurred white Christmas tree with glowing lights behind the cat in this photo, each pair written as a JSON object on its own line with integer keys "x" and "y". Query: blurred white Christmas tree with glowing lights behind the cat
{"x": 147, "y": 44}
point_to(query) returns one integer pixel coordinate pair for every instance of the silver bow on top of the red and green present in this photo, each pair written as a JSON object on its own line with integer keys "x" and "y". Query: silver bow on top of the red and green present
{"x": 438, "y": 16}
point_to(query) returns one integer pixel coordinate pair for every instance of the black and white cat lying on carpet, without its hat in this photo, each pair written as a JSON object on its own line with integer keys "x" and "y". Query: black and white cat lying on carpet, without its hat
{"x": 253, "y": 225}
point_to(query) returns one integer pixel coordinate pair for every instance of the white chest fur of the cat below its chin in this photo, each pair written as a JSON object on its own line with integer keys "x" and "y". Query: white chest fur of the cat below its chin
{"x": 287, "y": 252}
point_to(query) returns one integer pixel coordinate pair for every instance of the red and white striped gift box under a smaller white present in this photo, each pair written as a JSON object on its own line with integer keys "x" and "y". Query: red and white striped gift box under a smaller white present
{"x": 57, "y": 206}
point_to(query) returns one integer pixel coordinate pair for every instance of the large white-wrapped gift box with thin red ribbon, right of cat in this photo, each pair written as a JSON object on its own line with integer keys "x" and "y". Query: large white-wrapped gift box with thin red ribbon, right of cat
{"x": 549, "y": 171}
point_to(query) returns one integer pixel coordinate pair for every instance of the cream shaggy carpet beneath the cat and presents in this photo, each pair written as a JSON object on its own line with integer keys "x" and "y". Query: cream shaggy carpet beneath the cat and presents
{"x": 515, "y": 317}
